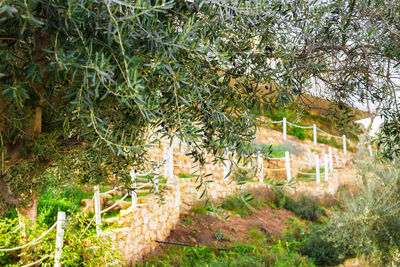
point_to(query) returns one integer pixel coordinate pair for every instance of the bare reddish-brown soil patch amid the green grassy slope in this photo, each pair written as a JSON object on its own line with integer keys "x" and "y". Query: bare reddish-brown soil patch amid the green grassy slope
{"x": 195, "y": 229}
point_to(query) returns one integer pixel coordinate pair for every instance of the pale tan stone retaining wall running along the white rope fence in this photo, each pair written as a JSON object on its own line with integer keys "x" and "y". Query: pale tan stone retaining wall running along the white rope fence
{"x": 139, "y": 228}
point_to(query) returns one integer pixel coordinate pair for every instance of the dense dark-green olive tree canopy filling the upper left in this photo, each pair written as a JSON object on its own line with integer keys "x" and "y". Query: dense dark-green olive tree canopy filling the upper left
{"x": 80, "y": 79}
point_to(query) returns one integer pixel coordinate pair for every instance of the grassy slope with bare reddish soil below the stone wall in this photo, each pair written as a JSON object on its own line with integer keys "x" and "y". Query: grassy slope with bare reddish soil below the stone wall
{"x": 255, "y": 234}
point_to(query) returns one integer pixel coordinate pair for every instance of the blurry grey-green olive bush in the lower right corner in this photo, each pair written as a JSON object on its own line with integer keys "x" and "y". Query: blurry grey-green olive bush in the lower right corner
{"x": 370, "y": 223}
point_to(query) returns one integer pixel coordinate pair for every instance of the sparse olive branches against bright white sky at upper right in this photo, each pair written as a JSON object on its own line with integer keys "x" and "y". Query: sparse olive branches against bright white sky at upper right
{"x": 347, "y": 49}
